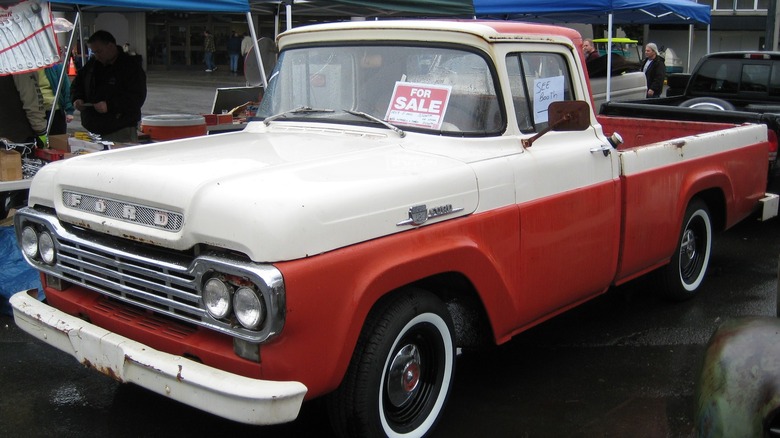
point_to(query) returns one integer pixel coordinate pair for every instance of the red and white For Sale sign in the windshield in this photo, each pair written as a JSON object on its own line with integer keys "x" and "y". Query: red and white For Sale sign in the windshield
{"x": 421, "y": 105}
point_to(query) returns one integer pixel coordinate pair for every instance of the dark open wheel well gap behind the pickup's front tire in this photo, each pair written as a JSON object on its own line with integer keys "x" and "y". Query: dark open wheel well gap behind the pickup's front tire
{"x": 472, "y": 327}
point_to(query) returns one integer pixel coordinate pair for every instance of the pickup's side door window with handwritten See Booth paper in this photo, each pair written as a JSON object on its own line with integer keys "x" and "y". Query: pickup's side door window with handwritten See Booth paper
{"x": 536, "y": 80}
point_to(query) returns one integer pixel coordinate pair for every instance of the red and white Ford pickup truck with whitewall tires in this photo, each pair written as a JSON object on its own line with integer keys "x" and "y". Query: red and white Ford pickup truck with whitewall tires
{"x": 410, "y": 189}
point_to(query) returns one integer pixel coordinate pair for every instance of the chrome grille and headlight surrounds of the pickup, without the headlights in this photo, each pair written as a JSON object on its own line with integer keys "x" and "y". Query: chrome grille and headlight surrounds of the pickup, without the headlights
{"x": 165, "y": 282}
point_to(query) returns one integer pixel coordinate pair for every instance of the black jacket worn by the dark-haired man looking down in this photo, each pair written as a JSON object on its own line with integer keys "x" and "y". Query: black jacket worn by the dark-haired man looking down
{"x": 121, "y": 84}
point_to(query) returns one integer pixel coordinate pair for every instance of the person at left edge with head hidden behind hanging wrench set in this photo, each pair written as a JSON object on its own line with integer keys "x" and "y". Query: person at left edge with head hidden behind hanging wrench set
{"x": 22, "y": 114}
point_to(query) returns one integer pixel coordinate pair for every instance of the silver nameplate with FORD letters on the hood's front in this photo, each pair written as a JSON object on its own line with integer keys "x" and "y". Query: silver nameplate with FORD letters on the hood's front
{"x": 124, "y": 211}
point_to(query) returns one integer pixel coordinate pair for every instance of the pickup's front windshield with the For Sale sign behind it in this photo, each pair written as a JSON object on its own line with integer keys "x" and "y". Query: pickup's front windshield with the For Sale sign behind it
{"x": 412, "y": 87}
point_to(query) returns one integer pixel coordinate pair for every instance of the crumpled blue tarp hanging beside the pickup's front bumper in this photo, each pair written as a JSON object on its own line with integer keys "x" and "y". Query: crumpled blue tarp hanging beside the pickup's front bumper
{"x": 15, "y": 274}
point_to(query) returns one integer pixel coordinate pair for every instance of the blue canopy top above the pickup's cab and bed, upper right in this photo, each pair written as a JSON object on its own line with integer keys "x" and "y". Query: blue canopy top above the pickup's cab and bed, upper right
{"x": 597, "y": 11}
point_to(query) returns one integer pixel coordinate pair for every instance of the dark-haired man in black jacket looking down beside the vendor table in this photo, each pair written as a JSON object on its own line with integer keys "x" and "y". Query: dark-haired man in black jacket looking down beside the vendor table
{"x": 110, "y": 90}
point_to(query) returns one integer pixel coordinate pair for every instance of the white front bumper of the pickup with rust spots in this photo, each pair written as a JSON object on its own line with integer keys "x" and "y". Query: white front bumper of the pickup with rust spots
{"x": 227, "y": 395}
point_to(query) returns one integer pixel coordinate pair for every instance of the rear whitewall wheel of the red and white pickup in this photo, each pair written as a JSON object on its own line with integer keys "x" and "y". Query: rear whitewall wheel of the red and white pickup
{"x": 681, "y": 279}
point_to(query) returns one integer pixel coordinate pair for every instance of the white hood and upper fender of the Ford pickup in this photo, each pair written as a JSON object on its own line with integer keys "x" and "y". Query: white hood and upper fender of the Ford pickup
{"x": 272, "y": 193}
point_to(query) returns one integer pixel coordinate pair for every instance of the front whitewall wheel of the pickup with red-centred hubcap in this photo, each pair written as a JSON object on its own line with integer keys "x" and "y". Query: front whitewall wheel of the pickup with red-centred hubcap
{"x": 401, "y": 371}
